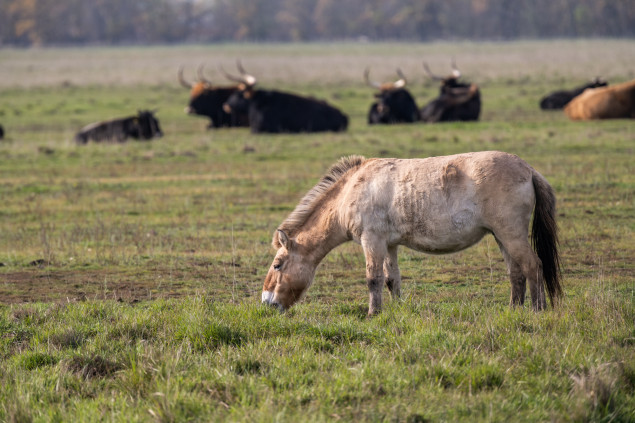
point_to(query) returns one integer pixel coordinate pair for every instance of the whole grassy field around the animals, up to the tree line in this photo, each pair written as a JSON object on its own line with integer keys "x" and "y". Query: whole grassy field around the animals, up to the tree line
{"x": 131, "y": 274}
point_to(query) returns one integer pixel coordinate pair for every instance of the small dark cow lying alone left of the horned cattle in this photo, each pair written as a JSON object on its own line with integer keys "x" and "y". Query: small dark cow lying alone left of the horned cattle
{"x": 143, "y": 126}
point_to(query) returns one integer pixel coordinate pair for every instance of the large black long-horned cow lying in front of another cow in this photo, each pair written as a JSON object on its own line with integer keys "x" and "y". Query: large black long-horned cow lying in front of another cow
{"x": 275, "y": 111}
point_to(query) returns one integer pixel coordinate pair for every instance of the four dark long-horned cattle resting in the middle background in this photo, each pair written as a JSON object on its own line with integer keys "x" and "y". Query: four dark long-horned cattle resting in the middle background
{"x": 275, "y": 111}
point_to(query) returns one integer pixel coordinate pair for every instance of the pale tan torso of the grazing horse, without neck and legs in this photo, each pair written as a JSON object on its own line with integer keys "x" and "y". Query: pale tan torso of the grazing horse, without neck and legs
{"x": 437, "y": 204}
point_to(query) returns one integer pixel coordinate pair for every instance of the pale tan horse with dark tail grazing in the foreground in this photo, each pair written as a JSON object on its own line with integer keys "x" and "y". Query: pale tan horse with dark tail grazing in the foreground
{"x": 436, "y": 205}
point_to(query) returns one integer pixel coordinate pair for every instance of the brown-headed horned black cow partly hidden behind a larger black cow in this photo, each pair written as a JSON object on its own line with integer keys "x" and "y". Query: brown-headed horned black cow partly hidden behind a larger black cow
{"x": 207, "y": 100}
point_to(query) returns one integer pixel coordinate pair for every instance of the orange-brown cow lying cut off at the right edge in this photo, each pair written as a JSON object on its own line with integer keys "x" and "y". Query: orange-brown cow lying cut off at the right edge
{"x": 612, "y": 102}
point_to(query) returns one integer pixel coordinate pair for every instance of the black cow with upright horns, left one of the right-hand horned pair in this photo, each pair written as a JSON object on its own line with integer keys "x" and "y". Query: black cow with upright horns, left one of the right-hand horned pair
{"x": 394, "y": 103}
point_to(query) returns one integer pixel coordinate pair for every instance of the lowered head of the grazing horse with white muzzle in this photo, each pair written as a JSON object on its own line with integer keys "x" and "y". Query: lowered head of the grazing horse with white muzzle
{"x": 290, "y": 274}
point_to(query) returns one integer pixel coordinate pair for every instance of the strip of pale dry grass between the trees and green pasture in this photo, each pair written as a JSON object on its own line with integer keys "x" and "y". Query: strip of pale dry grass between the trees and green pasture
{"x": 338, "y": 63}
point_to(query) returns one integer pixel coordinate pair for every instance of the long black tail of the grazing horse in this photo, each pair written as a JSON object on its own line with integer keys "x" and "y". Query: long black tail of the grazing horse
{"x": 544, "y": 236}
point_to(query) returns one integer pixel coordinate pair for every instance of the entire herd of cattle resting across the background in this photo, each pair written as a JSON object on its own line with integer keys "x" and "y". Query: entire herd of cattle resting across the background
{"x": 272, "y": 111}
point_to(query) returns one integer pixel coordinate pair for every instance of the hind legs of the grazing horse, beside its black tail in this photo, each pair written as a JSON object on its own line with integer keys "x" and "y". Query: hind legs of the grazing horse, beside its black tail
{"x": 523, "y": 256}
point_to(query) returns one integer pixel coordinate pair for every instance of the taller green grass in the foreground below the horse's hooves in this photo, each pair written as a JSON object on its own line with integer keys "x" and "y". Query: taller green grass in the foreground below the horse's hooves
{"x": 200, "y": 359}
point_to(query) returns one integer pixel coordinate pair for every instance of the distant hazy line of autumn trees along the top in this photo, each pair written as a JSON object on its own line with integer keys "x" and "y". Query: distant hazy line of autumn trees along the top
{"x": 59, "y": 22}
